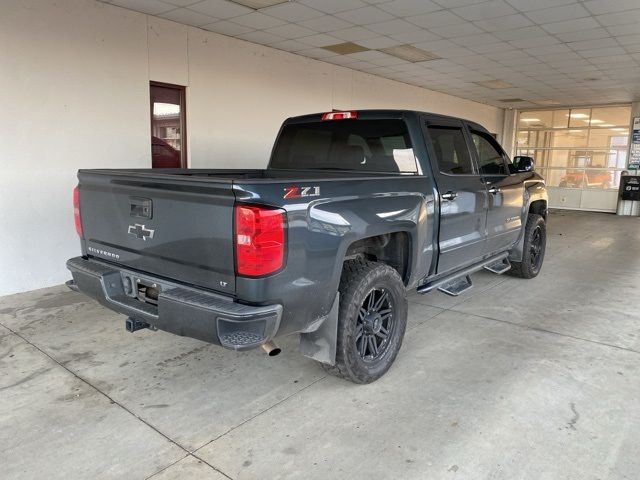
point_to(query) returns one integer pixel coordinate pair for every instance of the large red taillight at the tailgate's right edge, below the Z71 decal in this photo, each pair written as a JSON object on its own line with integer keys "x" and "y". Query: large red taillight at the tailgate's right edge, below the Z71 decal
{"x": 259, "y": 240}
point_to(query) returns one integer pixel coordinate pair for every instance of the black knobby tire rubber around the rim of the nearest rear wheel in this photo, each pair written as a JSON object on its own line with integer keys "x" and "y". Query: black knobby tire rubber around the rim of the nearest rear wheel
{"x": 359, "y": 279}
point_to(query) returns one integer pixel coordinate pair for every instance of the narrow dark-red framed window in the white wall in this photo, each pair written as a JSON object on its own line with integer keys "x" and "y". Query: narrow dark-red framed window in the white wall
{"x": 167, "y": 126}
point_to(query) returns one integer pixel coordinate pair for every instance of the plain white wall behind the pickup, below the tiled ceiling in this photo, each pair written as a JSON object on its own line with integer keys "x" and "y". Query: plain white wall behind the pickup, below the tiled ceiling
{"x": 74, "y": 90}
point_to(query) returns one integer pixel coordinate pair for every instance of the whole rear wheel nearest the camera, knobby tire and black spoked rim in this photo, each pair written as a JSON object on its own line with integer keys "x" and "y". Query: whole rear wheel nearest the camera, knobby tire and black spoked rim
{"x": 371, "y": 321}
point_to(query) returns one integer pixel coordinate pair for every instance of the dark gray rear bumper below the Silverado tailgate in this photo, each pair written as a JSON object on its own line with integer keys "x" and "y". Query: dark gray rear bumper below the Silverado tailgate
{"x": 181, "y": 310}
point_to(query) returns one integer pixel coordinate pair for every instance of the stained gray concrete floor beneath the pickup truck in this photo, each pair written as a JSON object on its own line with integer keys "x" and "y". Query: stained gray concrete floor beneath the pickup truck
{"x": 513, "y": 380}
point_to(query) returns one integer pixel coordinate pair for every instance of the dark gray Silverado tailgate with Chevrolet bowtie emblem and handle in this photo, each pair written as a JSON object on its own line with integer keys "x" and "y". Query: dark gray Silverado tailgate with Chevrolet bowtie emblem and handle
{"x": 171, "y": 226}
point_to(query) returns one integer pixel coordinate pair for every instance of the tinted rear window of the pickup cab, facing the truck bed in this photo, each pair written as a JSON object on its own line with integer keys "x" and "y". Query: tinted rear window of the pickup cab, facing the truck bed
{"x": 358, "y": 145}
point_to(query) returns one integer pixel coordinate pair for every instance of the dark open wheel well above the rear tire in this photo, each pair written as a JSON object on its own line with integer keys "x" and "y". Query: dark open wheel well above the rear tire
{"x": 389, "y": 248}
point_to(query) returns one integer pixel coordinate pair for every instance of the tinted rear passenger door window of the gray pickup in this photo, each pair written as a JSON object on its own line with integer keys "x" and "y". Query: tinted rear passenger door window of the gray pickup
{"x": 451, "y": 150}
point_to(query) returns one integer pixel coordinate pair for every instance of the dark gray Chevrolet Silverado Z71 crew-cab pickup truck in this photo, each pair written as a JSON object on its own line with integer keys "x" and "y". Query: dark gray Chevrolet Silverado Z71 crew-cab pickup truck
{"x": 354, "y": 210}
